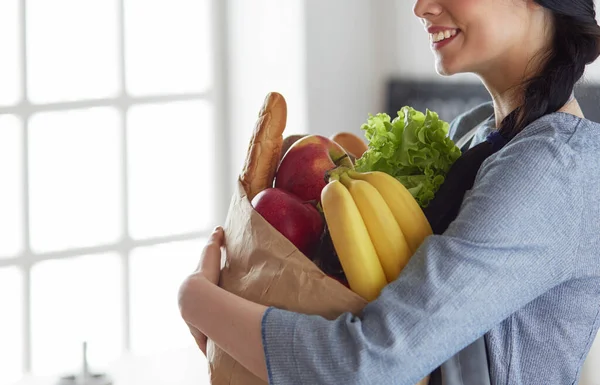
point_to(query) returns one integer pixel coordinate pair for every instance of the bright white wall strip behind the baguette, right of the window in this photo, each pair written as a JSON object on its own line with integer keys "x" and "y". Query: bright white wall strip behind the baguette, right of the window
{"x": 266, "y": 52}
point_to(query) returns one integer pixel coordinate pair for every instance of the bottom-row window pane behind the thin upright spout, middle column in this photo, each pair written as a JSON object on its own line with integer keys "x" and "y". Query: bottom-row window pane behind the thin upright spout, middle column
{"x": 76, "y": 300}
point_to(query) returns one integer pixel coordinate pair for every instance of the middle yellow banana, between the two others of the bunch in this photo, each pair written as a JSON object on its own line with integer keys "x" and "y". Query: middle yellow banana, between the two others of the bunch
{"x": 384, "y": 231}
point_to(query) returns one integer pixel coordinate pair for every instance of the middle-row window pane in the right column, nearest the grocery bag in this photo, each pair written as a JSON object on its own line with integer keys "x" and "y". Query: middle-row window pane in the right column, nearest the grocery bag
{"x": 170, "y": 168}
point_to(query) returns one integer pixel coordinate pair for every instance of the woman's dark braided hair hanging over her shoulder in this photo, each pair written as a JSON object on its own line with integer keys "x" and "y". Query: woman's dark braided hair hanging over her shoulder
{"x": 575, "y": 44}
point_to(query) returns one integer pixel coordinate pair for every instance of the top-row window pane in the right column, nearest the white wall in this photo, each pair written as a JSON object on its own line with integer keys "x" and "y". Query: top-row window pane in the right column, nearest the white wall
{"x": 167, "y": 44}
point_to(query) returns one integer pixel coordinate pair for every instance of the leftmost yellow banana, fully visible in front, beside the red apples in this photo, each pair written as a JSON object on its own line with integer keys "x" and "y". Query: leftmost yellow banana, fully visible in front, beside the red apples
{"x": 351, "y": 241}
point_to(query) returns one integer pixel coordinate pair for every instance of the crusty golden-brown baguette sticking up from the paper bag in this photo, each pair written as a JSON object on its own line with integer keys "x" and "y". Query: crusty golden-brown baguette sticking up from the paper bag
{"x": 264, "y": 150}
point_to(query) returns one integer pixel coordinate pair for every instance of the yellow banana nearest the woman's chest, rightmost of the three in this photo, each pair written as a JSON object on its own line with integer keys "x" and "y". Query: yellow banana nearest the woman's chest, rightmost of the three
{"x": 406, "y": 210}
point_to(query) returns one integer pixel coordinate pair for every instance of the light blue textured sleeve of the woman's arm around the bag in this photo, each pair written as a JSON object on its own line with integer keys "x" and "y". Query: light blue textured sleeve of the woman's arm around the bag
{"x": 513, "y": 240}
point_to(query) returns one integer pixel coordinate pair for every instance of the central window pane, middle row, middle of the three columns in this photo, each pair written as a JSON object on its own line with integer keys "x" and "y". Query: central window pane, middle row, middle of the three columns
{"x": 75, "y": 178}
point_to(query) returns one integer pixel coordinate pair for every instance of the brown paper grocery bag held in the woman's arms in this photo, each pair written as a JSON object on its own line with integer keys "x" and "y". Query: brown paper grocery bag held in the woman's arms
{"x": 261, "y": 265}
